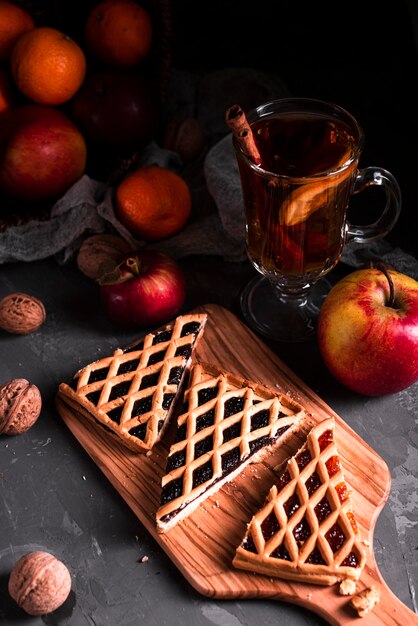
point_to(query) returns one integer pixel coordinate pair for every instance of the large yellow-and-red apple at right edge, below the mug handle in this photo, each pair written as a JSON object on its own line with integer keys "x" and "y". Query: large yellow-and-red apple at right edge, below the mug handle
{"x": 368, "y": 331}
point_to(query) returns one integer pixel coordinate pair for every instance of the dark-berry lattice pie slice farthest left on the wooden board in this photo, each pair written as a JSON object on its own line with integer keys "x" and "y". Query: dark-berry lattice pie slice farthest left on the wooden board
{"x": 133, "y": 392}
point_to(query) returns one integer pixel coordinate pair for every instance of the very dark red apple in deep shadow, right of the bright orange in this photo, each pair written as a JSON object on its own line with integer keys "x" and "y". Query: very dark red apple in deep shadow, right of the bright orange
{"x": 117, "y": 109}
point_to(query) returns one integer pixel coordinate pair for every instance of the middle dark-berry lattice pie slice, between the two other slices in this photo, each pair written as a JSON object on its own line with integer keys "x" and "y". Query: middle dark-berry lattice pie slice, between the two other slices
{"x": 229, "y": 422}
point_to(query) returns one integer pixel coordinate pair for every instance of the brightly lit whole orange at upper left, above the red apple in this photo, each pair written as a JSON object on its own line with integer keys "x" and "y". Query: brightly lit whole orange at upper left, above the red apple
{"x": 47, "y": 66}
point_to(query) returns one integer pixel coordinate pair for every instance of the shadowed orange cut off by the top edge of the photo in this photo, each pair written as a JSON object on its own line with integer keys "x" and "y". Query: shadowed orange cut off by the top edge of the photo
{"x": 118, "y": 32}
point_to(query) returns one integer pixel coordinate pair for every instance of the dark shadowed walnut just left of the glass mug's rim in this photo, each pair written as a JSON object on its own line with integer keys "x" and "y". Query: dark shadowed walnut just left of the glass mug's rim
{"x": 185, "y": 136}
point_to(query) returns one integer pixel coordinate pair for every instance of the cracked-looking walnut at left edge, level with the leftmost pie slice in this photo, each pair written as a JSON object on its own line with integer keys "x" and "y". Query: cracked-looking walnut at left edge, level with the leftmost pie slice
{"x": 20, "y": 406}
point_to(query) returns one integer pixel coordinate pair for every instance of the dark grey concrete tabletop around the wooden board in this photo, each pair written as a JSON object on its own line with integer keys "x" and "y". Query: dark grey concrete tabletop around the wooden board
{"x": 53, "y": 497}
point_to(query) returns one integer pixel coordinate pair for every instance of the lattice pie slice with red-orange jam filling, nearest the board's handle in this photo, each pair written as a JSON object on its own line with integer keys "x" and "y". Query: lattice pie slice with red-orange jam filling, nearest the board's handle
{"x": 306, "y": 530}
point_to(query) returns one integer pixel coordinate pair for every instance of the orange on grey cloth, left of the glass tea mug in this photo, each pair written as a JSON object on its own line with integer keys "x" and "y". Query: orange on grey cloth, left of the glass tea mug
{"x": 153, "y": 202}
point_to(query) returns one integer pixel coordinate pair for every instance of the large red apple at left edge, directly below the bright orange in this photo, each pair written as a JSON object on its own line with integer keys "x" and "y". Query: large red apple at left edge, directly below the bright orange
{"x": 42, "y": 153}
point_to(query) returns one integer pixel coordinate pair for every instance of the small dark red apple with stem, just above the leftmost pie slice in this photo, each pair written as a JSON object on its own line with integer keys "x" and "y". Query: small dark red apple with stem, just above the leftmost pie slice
{"x": 146, "y": 289}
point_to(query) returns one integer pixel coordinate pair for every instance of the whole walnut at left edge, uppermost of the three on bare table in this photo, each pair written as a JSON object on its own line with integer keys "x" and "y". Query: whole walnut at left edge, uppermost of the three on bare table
{"x": 21, "y": 314}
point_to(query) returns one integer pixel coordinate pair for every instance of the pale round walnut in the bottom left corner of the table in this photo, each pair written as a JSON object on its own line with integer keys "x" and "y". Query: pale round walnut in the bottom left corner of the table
{"x": 39, "y": 583}
